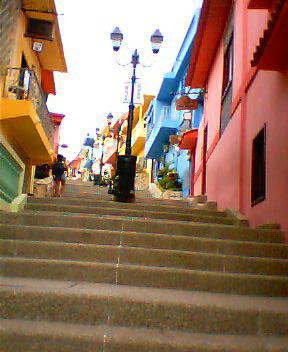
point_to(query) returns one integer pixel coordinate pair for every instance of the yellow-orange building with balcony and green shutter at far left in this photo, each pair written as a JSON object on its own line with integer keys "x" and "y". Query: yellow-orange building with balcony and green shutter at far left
{"x": 31, "y": 49}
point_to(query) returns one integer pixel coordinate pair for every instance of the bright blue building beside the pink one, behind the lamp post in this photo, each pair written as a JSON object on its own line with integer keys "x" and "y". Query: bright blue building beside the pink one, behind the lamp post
{"x": 167, "y": 126}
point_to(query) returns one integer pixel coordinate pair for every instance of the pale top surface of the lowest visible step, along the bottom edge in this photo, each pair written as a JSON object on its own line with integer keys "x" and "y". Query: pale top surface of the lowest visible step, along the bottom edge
{"x": 186, "y": 338}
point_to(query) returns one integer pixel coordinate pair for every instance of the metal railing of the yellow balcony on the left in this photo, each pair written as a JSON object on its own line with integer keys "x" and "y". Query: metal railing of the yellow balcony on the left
{"x": 22, "y": 84}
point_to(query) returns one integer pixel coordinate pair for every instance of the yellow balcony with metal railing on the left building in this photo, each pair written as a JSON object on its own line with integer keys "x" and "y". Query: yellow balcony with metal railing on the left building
{"x": 25, "y": 116}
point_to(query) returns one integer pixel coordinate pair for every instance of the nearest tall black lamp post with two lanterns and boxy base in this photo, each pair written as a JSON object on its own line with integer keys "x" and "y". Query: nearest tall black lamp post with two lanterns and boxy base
{"x": 126, "y": 164}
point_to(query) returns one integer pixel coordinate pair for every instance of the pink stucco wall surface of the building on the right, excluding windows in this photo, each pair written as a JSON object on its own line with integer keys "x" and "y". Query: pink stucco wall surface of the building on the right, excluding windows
{"x": 264, "y": 102}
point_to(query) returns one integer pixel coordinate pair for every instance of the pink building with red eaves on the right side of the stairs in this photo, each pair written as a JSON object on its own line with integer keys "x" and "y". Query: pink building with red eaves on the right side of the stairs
{"x": 240, "y": 58}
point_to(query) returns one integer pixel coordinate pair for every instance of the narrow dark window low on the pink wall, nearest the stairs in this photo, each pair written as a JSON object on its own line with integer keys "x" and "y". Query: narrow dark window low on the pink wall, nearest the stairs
{"x": 258, "y": 177}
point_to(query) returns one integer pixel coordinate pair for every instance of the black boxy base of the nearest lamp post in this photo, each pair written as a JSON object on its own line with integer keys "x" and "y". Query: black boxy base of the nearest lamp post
{"x": 123, "y": 187}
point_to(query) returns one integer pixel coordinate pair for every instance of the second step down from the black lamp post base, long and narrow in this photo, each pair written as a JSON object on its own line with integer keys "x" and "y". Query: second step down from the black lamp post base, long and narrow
{"x": 76, "y": 209}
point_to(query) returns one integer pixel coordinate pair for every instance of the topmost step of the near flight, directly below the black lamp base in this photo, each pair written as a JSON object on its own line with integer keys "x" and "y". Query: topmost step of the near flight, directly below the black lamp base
{"x": 139, "y": 206}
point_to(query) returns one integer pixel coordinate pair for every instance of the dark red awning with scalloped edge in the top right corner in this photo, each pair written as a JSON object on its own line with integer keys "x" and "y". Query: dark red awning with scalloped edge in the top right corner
{"x": 272, "y": 52}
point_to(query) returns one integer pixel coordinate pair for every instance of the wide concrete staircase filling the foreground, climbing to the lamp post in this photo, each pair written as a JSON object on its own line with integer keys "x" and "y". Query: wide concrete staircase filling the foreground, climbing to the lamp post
{"x": 83, "y": 273}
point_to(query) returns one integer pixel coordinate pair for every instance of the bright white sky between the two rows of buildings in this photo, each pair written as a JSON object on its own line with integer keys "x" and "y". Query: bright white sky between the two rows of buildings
{"x": 94, "y": 84}
